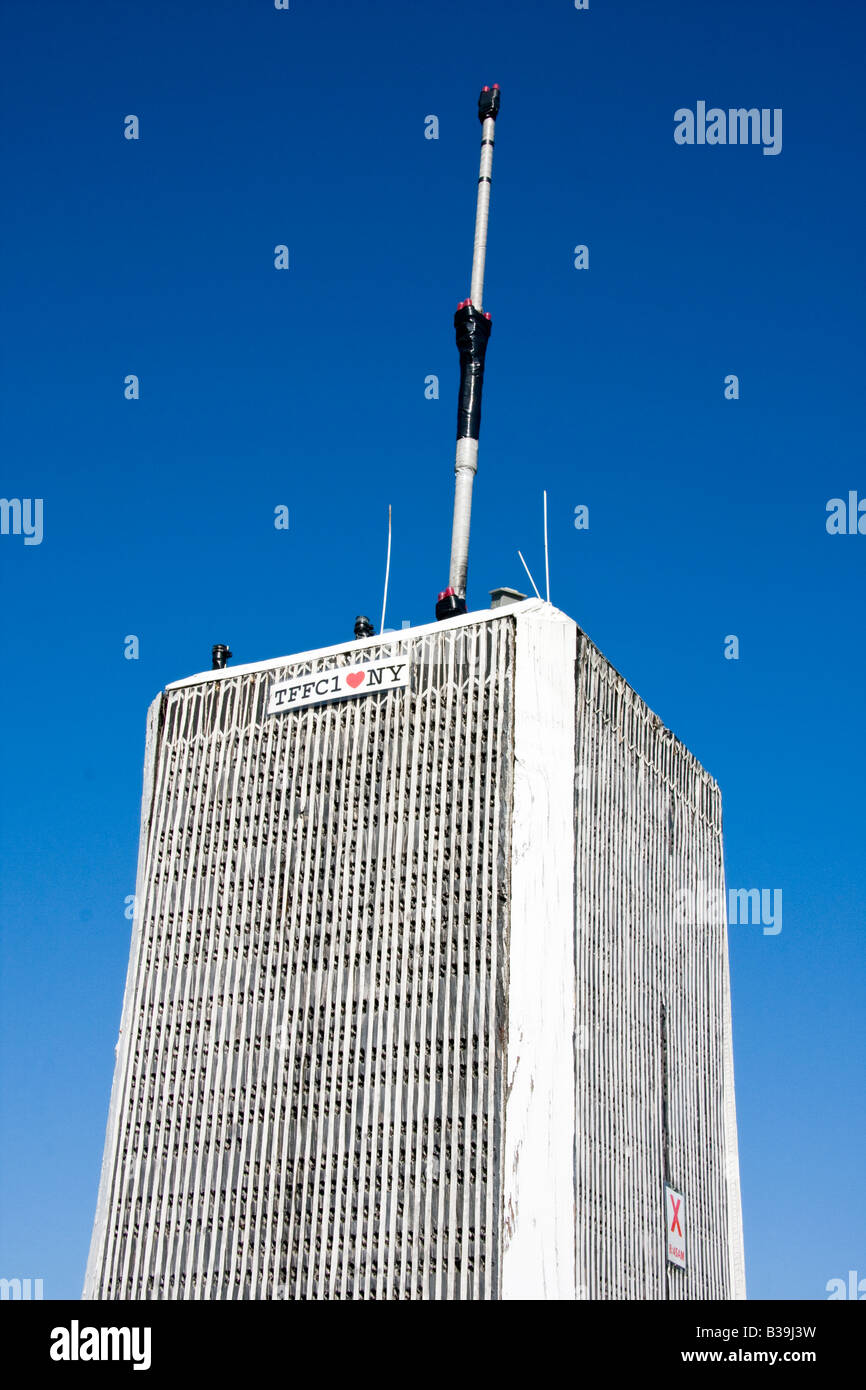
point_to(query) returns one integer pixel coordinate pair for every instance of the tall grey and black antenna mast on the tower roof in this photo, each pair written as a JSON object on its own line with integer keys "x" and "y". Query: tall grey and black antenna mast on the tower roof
{"x": 473, "y": 330}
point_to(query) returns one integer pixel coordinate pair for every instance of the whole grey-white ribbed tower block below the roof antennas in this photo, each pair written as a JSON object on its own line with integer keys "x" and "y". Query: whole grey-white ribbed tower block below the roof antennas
{"x": 414, "y": 1008}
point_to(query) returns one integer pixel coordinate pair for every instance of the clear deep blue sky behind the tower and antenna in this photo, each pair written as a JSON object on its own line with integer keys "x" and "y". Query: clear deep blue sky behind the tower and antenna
{"x": 307, "y": 389}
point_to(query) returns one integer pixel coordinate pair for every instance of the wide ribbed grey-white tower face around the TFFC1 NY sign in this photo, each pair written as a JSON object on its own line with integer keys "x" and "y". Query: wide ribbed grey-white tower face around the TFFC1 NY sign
{"x": 309, "y": 1082}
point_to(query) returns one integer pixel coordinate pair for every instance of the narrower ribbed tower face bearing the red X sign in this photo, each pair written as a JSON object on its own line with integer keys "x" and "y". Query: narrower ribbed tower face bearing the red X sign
{"x": 654, "y": 1085}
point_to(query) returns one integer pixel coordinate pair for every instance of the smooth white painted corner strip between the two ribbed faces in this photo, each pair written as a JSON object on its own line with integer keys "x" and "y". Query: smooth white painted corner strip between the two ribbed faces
{"x": 539, "y": 1235}
